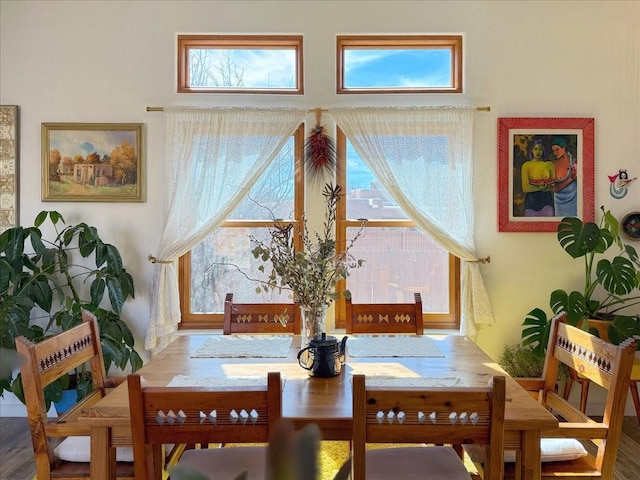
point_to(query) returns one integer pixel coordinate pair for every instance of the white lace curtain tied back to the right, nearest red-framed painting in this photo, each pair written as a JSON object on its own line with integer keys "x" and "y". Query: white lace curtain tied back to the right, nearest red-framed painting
{"x": 406, "y": 150}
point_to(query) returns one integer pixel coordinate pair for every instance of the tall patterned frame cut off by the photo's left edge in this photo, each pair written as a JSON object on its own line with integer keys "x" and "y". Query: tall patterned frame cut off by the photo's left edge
{"x": 9, "y": 194}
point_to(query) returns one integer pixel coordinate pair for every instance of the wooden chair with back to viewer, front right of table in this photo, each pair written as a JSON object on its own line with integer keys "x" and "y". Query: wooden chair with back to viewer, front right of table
{"x": 425, "y": 415}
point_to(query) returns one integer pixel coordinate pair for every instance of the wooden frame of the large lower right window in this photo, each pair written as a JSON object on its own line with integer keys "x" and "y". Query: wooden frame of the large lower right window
{"x": 449, "y": 320}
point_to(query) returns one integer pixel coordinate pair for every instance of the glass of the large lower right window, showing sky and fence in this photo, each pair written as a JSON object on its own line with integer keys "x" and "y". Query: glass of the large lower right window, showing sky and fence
{"x": 399, "y": 261}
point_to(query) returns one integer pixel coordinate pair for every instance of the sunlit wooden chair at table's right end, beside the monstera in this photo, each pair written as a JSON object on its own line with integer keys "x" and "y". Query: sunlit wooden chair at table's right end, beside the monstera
{"x": 602, "y": 363}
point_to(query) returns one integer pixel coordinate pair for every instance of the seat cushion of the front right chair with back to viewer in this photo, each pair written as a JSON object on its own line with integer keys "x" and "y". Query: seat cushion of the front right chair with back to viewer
{"x": 409, "y": 463}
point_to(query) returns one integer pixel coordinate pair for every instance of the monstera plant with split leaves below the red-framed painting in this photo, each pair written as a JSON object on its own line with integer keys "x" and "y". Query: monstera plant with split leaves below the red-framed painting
{"x": 611, "y": 283}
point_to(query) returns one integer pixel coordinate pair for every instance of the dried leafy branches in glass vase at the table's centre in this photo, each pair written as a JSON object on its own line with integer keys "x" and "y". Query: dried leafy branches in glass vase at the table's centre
{"x": 311, "y": 274}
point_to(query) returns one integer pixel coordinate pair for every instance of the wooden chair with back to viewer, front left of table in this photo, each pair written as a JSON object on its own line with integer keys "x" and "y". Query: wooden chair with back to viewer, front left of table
{"x": 192, "y": 415}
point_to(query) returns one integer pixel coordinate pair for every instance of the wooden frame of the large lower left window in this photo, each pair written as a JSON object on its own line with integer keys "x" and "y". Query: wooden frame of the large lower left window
{"x": 190, "y": 320}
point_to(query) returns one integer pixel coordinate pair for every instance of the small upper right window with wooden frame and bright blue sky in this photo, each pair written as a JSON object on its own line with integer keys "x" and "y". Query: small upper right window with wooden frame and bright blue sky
{"x": 399, "y": 64}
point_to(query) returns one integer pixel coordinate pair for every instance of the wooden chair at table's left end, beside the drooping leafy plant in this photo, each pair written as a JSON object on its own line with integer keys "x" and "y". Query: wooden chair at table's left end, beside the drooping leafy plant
{"x": 45, "y": 362}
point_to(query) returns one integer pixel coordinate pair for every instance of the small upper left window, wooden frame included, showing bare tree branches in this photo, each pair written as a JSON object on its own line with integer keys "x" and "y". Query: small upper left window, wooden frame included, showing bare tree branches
{"x": 240, "y": 64}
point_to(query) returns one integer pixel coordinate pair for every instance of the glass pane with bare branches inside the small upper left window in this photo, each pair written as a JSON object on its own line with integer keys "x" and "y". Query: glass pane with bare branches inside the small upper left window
{"x": 242, "y": 68}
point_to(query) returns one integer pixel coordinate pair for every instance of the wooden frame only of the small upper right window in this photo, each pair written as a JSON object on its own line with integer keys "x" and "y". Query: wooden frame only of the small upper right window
{"x": 382, "y": 42}
